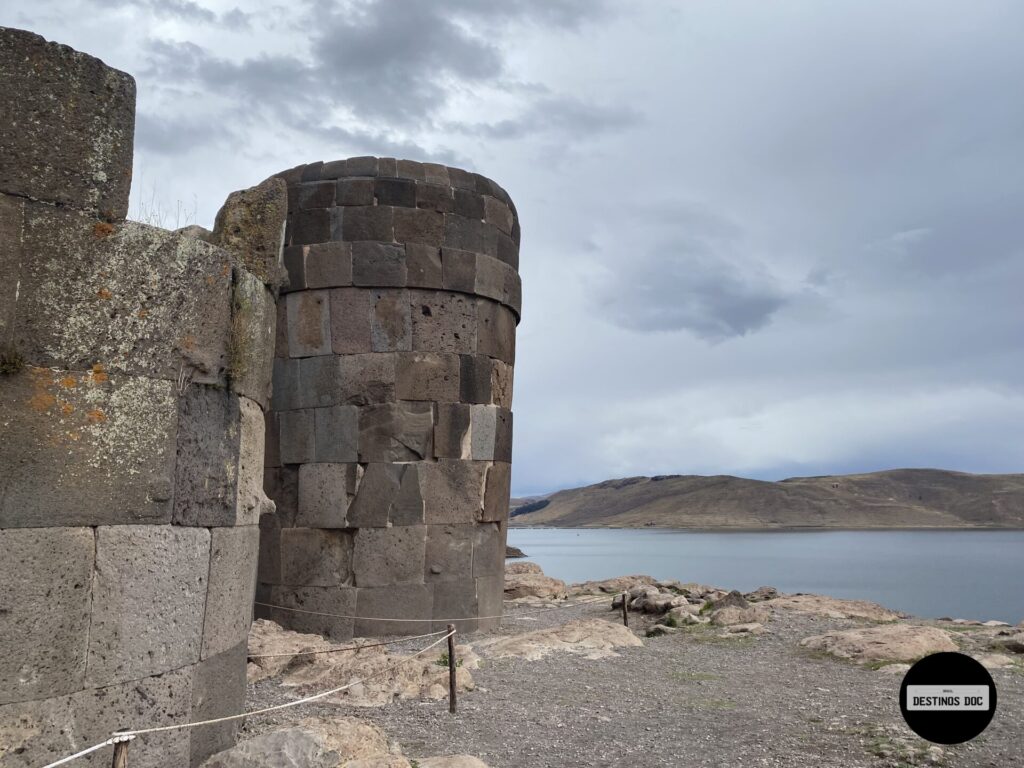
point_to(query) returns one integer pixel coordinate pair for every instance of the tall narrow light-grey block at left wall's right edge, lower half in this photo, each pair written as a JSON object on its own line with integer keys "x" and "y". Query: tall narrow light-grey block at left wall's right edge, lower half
{"x": 232, "y": 585}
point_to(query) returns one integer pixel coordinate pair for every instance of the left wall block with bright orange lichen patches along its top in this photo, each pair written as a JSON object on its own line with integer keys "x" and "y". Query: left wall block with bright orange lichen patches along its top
{"x": 105, "y": 445}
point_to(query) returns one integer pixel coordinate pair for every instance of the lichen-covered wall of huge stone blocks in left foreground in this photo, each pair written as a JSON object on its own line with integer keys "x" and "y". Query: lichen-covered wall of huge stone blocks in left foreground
{"x": 135, "y": 370}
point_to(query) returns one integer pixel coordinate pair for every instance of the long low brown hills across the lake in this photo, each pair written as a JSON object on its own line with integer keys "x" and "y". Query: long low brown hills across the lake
{"x": 895, "y": 499}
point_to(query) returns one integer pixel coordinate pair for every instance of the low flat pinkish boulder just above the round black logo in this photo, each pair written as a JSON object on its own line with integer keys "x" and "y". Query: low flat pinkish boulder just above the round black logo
{"x": 900, "y": 643}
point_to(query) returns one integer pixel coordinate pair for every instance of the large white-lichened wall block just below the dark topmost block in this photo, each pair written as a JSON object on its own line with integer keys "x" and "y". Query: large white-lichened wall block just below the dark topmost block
{"x": 135, "y": 300}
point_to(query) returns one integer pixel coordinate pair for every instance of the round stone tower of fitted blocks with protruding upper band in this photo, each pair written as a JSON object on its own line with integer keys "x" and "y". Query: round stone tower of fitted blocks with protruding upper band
{"x": 391, "y": 438}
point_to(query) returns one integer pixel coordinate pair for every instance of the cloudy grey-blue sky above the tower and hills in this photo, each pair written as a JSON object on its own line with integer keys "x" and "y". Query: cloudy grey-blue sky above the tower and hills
{"x": 763, "y": 239}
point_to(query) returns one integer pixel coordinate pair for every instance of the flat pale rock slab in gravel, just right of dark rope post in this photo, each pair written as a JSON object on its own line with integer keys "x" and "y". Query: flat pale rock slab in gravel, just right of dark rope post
{"x": 592, "y": 638}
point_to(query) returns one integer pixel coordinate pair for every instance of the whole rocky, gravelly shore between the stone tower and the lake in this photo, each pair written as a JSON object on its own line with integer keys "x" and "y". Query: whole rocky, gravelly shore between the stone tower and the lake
{"x": 704, "y": 676}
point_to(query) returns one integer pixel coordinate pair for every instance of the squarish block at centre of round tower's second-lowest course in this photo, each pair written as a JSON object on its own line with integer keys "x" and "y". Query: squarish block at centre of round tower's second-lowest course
{"x": 390, "y": 557}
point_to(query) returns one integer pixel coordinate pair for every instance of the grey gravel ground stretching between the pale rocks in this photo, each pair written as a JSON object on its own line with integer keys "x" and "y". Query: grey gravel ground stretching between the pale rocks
{"x": 690, "y": 699}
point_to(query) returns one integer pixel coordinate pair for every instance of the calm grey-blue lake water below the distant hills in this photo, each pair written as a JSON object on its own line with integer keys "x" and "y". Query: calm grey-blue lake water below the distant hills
{"x": 964, "y": 574}
